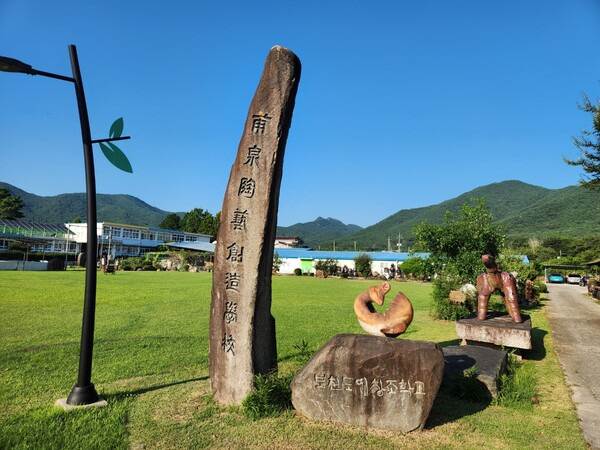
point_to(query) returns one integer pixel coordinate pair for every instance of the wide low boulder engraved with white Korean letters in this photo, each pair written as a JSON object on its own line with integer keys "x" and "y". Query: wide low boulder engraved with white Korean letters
{"x": 370, "y": 381}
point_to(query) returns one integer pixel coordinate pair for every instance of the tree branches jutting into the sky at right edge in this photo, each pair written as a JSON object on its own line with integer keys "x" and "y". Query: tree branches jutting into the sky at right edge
{"x": 589, "y": 148}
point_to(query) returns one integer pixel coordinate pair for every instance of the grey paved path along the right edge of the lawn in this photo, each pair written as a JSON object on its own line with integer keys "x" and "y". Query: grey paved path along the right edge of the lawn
{"x": 575, "y": 324}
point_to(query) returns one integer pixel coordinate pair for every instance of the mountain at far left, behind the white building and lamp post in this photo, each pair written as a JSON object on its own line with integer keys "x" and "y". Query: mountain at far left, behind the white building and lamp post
{"x": 65, "y": 207}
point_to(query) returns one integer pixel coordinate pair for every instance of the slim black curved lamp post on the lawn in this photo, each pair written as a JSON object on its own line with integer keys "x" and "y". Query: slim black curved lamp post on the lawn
{"x": 83, "y": 393}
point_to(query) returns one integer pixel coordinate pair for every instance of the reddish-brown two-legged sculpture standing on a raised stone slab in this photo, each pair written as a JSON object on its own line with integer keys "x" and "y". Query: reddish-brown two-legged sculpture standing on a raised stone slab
{"x": 493, "y": 278}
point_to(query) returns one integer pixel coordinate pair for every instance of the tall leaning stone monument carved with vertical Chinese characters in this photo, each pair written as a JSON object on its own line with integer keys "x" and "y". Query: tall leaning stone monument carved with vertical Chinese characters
{"x": 242, "y": 330}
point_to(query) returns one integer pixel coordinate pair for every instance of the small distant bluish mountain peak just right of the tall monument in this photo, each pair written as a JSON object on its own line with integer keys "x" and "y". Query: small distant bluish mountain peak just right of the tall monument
{"x": 319, "y": 230}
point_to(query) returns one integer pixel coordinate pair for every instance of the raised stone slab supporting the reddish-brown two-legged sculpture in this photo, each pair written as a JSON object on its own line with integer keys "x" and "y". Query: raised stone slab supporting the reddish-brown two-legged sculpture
{"x": 497, "y": 329}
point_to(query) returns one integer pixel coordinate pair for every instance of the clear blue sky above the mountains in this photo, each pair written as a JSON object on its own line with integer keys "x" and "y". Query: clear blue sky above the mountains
{"x": 400, "y": 105}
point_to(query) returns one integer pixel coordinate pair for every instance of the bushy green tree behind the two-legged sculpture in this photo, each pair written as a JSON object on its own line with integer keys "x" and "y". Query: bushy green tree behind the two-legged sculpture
{"x": 457, "y": 245}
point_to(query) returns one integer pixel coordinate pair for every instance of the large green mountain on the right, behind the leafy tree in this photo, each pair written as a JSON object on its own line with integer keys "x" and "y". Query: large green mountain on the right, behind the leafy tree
{"x": 523, "y": 209}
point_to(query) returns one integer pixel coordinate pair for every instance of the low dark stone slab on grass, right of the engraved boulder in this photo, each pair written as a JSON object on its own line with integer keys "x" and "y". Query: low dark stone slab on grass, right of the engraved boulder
{"x": 490, "y": 364}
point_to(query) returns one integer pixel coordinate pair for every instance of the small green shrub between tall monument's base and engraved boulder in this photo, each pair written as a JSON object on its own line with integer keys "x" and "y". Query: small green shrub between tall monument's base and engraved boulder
{"x": 272, "y": 395}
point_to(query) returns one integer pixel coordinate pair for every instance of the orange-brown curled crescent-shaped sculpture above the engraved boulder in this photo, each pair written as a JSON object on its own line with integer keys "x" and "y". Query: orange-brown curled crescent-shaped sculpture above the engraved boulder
{"x": 393, "y": 322}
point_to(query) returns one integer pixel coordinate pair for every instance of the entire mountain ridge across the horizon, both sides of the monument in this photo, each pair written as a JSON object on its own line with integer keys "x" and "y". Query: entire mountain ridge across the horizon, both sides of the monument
{"x": 525, "y": 210}
